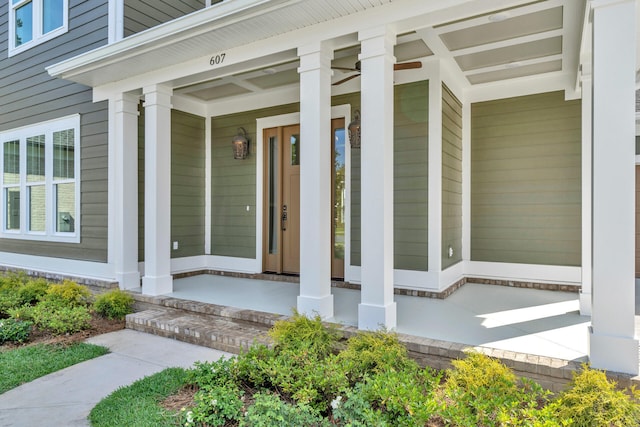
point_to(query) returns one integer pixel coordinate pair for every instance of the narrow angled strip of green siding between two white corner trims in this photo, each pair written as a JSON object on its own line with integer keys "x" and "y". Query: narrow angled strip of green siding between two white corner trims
{"x": 451, "y": 178}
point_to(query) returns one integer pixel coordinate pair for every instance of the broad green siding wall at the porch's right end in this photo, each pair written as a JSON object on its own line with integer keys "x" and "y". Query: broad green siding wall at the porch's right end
{"x": 526, "y": 180}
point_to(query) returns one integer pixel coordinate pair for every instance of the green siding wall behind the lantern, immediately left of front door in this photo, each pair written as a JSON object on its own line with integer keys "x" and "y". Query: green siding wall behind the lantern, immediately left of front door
{"x": 233, "y": 184}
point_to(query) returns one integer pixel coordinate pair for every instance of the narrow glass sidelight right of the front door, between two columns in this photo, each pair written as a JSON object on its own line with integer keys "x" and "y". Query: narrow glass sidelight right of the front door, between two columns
{"x": 339, "y": 192}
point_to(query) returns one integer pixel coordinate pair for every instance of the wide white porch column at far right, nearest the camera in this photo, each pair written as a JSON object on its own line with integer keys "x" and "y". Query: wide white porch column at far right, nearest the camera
{"x": 612, "y": 344}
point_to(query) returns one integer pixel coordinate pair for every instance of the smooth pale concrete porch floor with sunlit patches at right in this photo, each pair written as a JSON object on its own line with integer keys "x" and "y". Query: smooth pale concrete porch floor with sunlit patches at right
{"x": 531, "y": 321}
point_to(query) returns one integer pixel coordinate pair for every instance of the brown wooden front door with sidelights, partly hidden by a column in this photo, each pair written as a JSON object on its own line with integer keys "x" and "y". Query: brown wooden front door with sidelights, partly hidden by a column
{"x": 281, "y": 240}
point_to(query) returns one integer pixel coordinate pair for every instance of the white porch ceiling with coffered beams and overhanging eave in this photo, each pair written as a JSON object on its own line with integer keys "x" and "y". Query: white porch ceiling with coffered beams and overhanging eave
{"x": 483, "y": 41}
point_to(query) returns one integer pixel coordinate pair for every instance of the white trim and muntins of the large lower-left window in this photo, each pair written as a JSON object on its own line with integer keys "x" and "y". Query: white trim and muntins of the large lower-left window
{"x": 47, "y": 128}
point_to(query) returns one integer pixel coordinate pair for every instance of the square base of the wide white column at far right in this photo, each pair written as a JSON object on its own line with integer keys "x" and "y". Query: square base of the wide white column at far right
{"x": 611, "y": 353}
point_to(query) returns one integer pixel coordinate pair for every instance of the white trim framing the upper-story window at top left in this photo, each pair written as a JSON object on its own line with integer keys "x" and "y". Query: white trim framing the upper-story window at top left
{"x": 38, "y": 37}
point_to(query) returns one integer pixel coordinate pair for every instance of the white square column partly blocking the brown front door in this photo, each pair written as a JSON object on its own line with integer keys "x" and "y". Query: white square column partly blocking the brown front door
{"x": 315, "y": 180}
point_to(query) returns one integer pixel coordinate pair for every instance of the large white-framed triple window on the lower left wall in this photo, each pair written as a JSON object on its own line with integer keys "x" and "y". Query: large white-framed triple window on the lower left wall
{"x": 40, "y": 189}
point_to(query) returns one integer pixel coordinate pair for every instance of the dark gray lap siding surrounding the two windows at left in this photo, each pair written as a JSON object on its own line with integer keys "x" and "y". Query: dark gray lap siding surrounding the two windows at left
{"x": 29, "y": 96}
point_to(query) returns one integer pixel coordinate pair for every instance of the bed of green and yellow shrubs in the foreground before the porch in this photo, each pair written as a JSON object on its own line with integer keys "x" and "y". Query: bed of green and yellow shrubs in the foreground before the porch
{"x": 313, "y": 377}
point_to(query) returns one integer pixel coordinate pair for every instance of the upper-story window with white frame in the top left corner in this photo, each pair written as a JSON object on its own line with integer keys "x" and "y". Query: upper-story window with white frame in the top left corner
{"x": 32, "y": 22}
